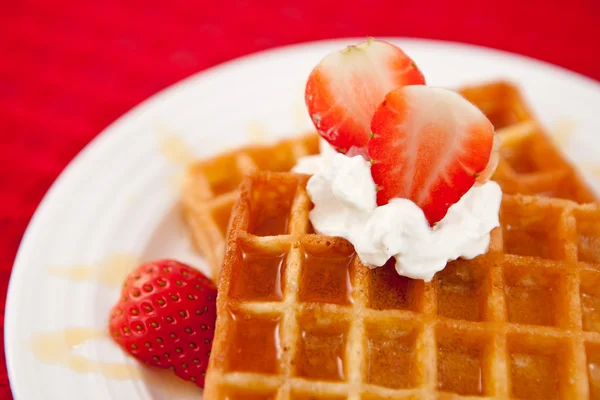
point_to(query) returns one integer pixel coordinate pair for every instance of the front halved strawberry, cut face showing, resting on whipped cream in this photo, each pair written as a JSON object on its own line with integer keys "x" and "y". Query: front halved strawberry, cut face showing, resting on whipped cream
{"x": 429, "y": 145}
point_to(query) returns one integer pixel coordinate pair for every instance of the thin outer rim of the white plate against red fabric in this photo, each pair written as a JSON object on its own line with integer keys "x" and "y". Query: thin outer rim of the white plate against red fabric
{"x": 10, "y": 316}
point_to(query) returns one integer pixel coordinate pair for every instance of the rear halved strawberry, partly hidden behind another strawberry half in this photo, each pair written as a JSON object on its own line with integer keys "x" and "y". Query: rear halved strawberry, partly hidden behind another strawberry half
{"x": 346, "y": 87}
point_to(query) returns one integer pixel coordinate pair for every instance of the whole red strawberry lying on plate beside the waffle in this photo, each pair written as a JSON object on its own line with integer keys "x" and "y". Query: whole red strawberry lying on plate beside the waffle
{"x": 166, "y": 318}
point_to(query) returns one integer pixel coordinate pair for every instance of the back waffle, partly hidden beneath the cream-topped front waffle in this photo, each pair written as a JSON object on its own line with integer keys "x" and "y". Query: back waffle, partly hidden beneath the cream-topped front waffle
{"x": 530, "y": 164}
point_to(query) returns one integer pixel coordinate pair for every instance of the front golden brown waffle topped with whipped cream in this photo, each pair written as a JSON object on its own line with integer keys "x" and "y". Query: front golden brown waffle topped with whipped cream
{"x": 299, "y": 317}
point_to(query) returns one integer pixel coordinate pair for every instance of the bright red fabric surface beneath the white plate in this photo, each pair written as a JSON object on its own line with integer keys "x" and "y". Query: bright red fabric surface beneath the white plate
{"x": 69, "y": 68}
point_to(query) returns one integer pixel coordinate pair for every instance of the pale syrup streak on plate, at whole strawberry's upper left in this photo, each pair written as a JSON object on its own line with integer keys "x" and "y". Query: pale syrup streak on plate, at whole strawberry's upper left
{"x": 111, "y": 271}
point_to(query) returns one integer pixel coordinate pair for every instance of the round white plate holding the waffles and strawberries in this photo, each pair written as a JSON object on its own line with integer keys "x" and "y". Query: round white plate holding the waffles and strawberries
{"x": 117, "y": 200}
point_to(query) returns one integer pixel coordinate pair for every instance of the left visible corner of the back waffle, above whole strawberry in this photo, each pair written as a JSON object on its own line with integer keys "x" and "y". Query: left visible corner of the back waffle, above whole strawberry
{"x": 210, "y": 188}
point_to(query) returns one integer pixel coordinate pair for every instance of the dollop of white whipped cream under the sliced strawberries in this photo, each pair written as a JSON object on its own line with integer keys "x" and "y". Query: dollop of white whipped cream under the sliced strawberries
{"x": 344, "y": 197}
